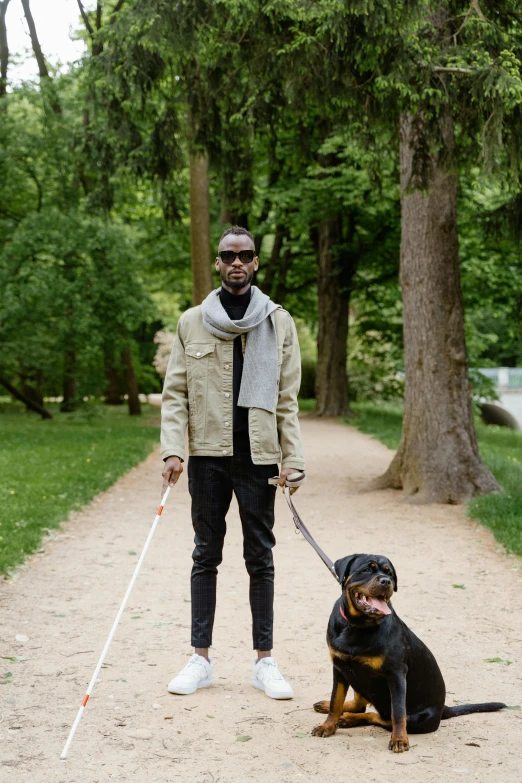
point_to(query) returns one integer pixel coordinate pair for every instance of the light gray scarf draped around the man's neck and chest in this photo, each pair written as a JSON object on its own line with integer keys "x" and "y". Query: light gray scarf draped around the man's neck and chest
{"x": 259, "y": 379}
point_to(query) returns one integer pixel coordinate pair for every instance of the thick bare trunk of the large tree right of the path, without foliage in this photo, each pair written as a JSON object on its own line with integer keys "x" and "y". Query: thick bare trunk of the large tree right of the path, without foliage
{"x": 438, "y": 459}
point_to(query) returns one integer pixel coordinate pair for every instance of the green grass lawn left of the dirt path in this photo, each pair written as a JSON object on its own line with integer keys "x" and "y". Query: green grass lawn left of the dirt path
{"x": 49, "y": 468}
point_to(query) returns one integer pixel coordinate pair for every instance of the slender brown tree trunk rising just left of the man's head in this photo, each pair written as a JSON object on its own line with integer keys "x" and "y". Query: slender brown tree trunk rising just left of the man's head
{"x": 200, "y": 227}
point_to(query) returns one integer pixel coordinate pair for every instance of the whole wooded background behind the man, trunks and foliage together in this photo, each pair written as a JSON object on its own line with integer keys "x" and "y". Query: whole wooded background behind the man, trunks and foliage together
{"x": 355, "y": 140}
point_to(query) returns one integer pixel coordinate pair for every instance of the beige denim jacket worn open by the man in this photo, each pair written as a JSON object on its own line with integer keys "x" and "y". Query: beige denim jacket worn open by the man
{"x": 198, "y": 393}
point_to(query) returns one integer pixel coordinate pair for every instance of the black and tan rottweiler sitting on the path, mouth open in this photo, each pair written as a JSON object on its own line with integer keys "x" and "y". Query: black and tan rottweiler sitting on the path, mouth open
{"x": 387, "y": 666}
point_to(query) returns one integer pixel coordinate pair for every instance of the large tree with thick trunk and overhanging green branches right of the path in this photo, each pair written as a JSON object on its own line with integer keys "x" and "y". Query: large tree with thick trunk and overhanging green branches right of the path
{"x": 450, "y": 65}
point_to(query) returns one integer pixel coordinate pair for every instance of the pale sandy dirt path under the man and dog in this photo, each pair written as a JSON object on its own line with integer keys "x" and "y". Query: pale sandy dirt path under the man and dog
{"x": 65, "y": 602}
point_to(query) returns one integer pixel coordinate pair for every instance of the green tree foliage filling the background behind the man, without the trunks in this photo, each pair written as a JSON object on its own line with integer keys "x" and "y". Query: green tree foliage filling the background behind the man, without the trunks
{"x": 297, "y": 104}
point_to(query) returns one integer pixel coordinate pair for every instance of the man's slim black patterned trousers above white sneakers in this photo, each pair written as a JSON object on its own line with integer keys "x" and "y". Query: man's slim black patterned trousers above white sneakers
{"x": 212, "y": 480}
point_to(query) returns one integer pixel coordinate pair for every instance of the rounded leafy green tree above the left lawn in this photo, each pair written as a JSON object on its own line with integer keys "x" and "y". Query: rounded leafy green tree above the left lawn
{"x": 68, "y": 283}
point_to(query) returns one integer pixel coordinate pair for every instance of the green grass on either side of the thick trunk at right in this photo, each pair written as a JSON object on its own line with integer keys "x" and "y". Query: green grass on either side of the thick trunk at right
{"x": 501, "y": 450}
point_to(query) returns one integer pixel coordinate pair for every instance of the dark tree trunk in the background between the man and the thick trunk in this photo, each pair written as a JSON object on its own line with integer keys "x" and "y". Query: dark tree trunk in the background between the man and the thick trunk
{"x": 333, "y": 290}
